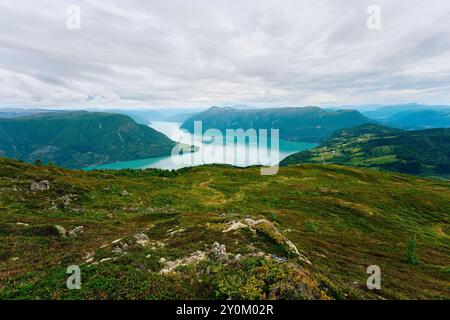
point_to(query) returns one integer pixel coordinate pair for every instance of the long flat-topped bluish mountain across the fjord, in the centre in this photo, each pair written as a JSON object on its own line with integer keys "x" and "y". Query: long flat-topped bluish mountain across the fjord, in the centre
{"x": 306, "y": 124}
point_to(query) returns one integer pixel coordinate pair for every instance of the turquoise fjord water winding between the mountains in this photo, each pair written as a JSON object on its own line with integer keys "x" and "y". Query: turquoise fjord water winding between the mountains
{"x": 239, "y": 153}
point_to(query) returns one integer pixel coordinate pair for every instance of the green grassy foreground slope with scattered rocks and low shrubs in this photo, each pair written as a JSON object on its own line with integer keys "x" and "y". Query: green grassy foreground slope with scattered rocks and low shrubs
{"x": 340, "y": 219}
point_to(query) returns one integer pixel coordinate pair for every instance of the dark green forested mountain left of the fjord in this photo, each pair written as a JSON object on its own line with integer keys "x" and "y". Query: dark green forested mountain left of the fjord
{"x": 79, "y": 139}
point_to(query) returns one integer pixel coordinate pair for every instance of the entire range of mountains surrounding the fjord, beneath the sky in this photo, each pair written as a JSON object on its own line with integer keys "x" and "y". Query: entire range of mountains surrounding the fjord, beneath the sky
{"x": 77, "y": 139}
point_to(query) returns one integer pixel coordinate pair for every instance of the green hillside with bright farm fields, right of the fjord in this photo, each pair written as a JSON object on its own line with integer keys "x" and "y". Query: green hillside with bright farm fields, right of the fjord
{"x": 423, "y": 152}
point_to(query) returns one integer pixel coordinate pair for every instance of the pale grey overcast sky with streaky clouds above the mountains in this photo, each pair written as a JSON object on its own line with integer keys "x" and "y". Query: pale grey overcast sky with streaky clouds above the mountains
{"x": 155, "y": 53}
